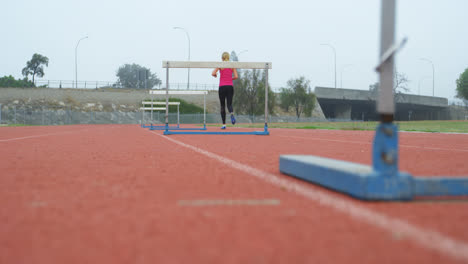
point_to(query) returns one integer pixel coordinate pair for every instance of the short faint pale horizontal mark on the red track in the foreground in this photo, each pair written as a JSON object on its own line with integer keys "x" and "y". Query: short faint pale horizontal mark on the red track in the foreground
{"x": 218, "y": 202}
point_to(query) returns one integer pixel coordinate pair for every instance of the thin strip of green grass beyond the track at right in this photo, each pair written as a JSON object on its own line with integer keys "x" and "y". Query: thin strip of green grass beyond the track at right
{"x": 420, "y": 126}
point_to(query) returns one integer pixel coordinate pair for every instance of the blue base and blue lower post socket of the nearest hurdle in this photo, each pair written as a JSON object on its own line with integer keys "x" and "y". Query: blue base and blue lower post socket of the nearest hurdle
{"x": 382, "y": 181}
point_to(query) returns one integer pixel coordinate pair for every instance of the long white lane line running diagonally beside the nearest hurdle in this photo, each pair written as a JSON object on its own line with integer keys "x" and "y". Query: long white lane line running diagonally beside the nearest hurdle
{"x": 424, "y": 237}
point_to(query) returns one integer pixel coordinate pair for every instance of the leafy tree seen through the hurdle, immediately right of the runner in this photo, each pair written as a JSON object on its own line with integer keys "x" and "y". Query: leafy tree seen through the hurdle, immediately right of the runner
{"x": 249, "y": 93}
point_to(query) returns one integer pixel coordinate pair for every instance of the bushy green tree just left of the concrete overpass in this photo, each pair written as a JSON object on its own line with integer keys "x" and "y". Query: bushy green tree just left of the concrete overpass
{"x": 298, "y": 95}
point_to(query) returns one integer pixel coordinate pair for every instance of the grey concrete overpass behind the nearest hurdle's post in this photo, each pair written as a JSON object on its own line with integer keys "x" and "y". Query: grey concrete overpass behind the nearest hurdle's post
{"x": 349, "y": 104}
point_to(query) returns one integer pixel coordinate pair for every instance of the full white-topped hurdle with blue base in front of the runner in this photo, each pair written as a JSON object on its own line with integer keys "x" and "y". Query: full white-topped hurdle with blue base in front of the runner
{"x": 225, "y": 64}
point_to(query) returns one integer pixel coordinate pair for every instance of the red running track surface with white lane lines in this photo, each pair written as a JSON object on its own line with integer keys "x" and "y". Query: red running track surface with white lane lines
{"x": 124, "y": 194}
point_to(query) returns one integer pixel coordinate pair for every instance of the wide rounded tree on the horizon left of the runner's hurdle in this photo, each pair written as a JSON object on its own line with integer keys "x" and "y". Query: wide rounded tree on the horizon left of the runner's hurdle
{"x": 136, "y": 76}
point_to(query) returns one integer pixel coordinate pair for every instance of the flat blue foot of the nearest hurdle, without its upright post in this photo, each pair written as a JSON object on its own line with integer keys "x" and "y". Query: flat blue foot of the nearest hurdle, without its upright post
{"x": 365, "y": 183}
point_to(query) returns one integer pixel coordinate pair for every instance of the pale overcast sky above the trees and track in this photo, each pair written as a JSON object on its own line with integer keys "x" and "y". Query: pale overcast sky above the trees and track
{"x": 289, "y": 34}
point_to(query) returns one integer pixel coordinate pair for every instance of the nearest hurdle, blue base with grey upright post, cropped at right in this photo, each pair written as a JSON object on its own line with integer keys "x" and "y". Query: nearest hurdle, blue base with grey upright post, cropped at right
{"x": 382, "y": 181}
